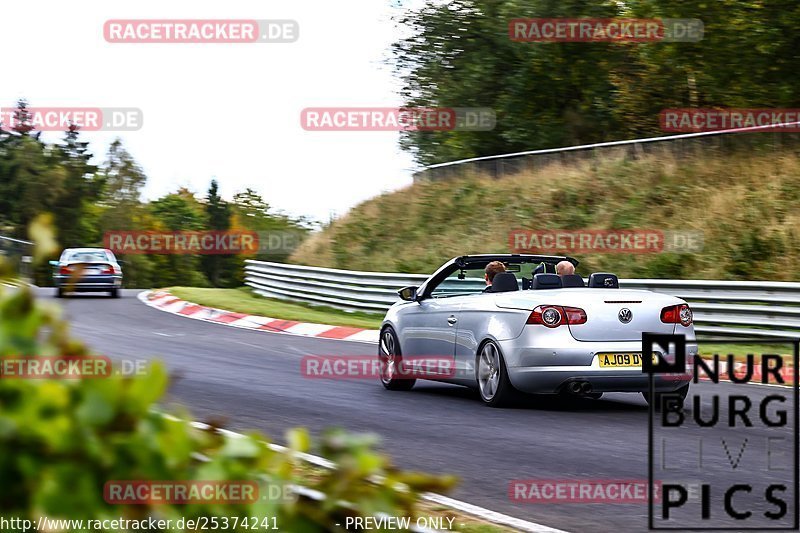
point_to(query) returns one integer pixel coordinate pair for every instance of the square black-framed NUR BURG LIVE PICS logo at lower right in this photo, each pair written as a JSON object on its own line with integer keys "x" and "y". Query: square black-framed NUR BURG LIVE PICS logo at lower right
{"x": 728, "y": 459}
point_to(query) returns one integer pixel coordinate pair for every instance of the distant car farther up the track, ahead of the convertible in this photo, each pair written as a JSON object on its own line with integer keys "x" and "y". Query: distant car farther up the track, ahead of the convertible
{"x": 87, "y": 270}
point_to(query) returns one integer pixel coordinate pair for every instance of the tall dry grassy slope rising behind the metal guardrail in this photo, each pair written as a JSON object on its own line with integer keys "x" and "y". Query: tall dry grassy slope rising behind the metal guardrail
{"x": 743, "y": 204}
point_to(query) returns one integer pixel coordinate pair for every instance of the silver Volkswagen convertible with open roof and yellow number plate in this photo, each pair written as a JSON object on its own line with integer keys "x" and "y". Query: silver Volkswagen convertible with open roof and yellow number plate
{"x": 533, "y": 331}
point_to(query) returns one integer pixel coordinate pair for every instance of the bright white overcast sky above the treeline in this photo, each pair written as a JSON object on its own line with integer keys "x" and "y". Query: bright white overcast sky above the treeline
{"x": 230, "y": 111}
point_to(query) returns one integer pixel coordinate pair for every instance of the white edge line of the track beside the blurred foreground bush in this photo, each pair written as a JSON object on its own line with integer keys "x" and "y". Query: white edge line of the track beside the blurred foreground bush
{"x": 474, "y": 510}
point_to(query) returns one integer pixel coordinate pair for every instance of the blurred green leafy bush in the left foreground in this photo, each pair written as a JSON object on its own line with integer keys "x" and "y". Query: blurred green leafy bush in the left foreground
{"x": 62, "y": 440}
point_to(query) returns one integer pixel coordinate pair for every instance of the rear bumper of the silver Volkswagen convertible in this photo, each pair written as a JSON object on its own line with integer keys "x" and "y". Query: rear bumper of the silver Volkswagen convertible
{"x": 548, "y": 363}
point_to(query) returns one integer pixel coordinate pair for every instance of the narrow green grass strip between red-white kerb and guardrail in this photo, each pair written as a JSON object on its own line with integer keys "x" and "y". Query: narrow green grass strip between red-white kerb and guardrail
{"x": 242, "y": 300}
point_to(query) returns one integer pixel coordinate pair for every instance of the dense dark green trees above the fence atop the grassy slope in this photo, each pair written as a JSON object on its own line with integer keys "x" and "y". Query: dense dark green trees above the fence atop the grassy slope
{"x": 546, "y": 95}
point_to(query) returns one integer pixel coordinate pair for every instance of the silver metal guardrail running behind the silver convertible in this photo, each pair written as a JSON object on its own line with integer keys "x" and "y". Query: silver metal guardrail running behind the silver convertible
{"x": 721, "y": 308}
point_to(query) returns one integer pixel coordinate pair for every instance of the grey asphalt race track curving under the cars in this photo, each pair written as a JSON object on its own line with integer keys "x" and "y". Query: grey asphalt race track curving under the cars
{"x": 251, "y": 380}
